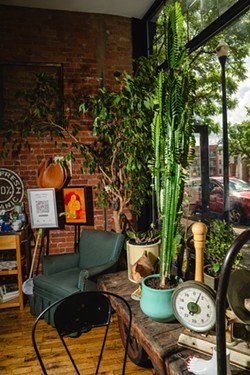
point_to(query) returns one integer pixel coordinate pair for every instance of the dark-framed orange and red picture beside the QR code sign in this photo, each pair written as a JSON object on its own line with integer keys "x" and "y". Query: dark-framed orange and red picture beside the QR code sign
{"x": 78, "y": 205}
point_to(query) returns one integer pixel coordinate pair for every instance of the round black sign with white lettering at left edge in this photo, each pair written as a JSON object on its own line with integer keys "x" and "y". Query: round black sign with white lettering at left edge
{"x": 11, "y": 189}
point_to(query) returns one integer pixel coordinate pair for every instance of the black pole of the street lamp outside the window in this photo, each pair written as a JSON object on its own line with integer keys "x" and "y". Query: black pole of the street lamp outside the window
{"x": 222, "y": 60}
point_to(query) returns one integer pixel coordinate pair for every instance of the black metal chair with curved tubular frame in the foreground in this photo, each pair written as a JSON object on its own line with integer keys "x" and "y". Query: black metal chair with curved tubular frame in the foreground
{"x": 79, "y": 313}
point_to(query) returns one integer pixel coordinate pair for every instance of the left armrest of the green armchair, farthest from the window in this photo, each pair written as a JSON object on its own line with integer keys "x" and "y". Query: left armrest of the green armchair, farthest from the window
{"x": 60, "y": 262}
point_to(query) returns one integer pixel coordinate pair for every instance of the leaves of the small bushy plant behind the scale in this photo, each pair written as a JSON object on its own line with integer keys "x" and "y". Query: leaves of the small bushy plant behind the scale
{"x": 219, "y": 239}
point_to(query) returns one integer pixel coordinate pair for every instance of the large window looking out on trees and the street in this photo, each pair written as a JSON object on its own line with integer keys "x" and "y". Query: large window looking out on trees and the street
{"x": 208, "y": 24}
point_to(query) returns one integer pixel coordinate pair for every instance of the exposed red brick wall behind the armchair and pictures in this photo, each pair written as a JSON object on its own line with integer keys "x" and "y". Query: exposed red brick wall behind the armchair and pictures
{"x": 89, "y": 47}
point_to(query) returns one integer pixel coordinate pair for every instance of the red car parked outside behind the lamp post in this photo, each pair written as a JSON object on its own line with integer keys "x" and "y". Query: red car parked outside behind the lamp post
{"x": 239, "y": 198}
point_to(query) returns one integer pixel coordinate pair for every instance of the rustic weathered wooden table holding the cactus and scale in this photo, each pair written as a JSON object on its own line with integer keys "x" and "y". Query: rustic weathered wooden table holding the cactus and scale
{"x": 158, "y": 340}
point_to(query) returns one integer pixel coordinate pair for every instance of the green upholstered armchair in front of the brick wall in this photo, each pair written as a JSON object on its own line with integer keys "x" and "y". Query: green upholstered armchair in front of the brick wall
{"x": 64, "y": 274}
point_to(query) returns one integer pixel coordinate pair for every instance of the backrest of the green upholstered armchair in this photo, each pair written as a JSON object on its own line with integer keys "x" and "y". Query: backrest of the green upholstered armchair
{"x": 98, "y": 247}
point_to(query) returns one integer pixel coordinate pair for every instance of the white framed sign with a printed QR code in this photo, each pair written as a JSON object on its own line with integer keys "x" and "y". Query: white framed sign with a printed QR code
{"x": 42, "y": 207}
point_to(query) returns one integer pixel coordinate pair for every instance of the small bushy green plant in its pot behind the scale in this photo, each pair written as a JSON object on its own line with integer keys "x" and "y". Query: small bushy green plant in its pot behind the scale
{"x": 220, "y": 237}
